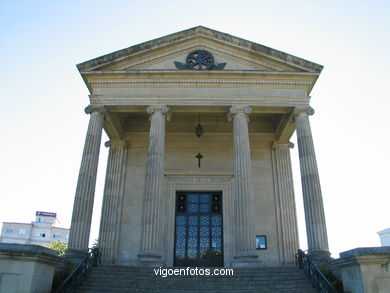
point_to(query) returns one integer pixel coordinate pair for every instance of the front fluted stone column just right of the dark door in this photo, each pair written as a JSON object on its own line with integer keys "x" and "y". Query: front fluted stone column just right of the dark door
{"x": 243, "y": 189}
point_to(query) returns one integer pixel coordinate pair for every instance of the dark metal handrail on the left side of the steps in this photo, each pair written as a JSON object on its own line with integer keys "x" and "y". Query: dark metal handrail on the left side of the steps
{"x": 80, "y": 272}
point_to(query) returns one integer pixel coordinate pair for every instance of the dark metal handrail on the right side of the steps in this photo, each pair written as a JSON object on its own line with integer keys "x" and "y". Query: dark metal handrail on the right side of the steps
{"x": 313, "y": 273}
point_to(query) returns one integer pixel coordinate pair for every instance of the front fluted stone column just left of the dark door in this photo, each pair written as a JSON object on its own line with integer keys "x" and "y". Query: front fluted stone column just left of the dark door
{"x": 151, "y": 240}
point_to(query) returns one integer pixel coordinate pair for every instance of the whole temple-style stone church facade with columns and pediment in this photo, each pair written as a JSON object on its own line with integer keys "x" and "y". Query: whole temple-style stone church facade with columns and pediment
{"x": 199, "y": 170}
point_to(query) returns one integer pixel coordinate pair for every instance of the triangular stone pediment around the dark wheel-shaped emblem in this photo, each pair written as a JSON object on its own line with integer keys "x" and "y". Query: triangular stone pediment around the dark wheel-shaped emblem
{"x": 229, "y": 53}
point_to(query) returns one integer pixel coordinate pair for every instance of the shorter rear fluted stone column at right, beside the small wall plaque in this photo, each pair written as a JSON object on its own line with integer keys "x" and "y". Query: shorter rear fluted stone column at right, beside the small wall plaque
{"x": 285, "y": 202}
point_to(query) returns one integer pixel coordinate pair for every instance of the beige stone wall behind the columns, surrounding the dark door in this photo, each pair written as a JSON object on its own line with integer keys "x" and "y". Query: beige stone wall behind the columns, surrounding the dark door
{"x": 182, "y": 172}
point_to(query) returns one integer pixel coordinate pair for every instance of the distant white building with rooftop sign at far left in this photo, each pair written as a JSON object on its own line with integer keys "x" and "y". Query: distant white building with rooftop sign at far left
{"x": 40, "y": 232}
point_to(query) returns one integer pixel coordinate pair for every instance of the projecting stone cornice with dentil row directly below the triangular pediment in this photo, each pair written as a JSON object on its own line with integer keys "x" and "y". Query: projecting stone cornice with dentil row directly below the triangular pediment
{"x": 173, "y": 79}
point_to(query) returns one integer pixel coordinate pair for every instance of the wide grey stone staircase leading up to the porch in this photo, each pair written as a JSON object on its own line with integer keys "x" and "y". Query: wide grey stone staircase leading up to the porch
{"x": 109, "y": 278}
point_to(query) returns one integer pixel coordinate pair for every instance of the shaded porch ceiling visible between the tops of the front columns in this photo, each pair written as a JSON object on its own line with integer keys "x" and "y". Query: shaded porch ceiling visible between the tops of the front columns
{"x": 273, "y": 123}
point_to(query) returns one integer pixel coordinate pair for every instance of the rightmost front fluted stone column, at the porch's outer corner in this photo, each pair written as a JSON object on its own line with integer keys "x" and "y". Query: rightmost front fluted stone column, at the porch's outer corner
{"x": 317, "y": 237}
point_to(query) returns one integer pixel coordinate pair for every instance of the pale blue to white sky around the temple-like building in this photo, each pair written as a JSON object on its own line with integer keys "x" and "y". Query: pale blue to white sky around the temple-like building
{"x": 42, "y": 95}
